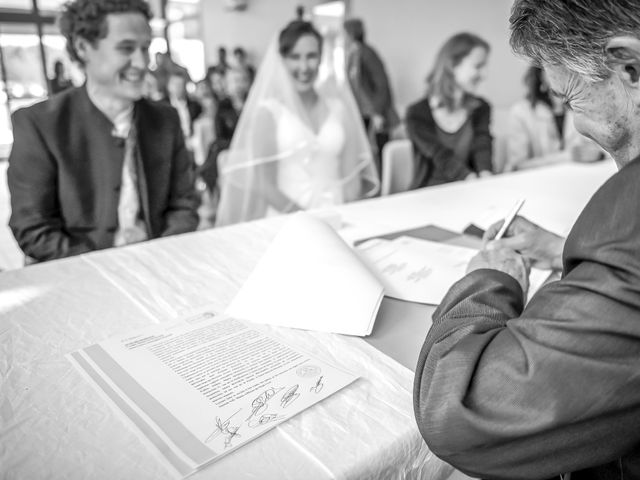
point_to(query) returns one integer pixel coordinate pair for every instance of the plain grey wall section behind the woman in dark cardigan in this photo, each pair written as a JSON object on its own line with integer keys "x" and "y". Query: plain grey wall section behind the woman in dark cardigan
{"x": 409, "y": 38}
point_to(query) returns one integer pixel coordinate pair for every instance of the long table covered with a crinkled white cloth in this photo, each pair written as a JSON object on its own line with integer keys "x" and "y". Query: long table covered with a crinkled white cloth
{"x": 54, "y": 425}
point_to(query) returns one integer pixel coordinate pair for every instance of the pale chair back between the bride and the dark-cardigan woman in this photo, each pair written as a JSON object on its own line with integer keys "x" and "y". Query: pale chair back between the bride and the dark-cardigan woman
{"x": 398, "y": 167}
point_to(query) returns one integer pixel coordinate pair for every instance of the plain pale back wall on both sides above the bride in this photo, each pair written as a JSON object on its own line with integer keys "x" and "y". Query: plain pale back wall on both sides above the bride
{"x": 407, "y": 34}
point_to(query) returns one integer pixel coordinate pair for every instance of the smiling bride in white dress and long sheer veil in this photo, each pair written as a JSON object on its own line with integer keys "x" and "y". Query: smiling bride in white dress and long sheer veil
{"x": 299, "y": 143}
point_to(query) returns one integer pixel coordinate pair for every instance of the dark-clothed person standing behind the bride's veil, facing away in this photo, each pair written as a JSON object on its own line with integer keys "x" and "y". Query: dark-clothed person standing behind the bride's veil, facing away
{"x": 370, "y": 85}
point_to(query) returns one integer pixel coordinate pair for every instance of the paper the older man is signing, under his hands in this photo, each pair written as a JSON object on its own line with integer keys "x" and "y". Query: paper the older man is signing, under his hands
{"x": 422, "y": 271}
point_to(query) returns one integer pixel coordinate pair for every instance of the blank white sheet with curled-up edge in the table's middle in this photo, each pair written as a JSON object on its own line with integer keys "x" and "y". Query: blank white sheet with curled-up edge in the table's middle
{"x": 309, "y": 278}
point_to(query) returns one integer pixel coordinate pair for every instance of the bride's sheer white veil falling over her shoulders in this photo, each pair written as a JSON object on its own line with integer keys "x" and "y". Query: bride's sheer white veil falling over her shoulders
{"x": 247, "y": 169}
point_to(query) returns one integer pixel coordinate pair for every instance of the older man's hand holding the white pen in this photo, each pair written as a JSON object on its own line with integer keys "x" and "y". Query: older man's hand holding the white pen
{"x": 539, "y": 246}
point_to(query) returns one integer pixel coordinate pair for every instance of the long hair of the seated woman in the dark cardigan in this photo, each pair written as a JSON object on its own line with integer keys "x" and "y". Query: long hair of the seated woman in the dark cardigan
{"x": 440, "y": 81}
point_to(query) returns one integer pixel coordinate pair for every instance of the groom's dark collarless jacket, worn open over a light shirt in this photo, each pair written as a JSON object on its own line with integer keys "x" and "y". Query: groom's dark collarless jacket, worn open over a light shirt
{"x": 65, "y": 171}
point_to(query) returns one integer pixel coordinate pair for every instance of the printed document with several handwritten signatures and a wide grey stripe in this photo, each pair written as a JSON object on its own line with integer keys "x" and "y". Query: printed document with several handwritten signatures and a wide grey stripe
{"x": 200, "y": 390}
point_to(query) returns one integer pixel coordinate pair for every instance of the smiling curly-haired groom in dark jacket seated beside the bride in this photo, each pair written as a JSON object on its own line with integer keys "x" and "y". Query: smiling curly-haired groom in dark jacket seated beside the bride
{"x": 99, "y": 166}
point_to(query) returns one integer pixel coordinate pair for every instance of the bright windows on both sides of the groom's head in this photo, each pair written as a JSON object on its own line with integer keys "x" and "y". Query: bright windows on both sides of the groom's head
{"x": 30, "y": 45}
